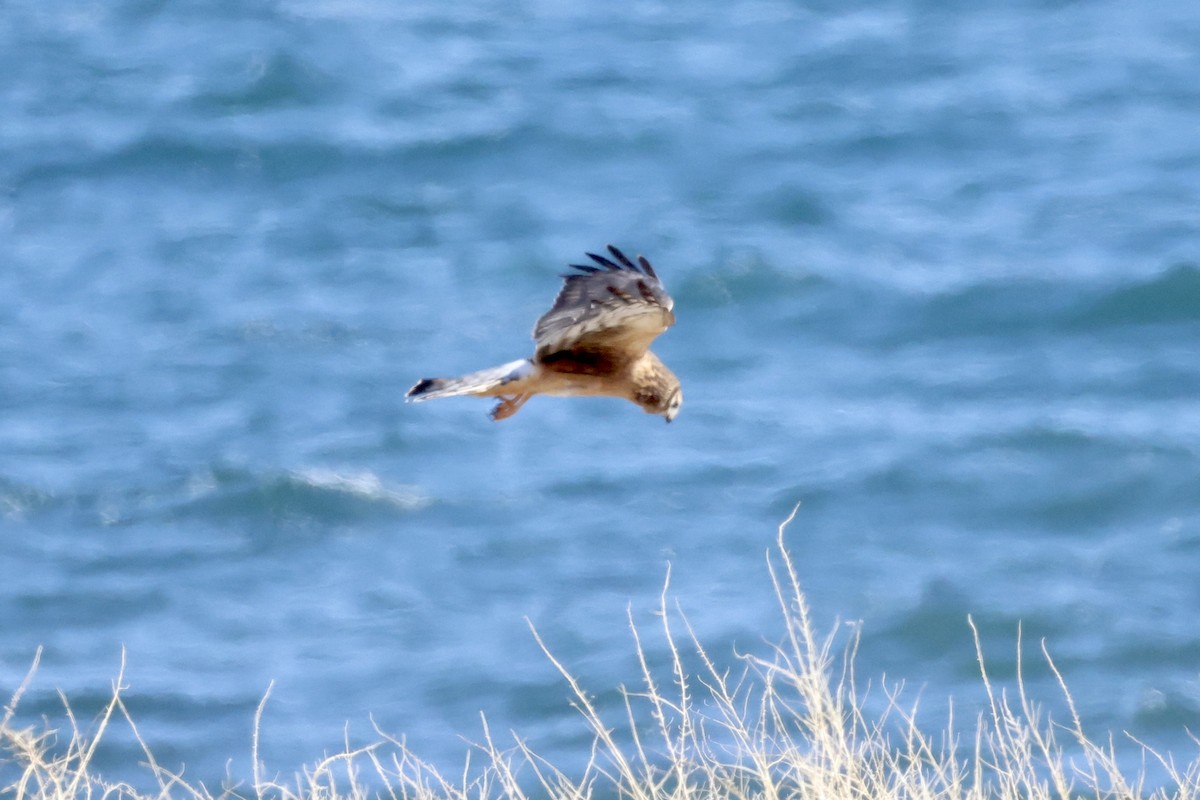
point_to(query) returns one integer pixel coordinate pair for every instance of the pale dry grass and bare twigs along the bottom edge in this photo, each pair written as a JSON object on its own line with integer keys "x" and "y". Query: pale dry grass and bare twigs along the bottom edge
{"x": 788, "y": 726}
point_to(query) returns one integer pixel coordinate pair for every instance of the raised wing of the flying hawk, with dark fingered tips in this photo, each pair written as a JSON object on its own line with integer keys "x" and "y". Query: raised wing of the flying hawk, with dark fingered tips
{"x": 613, "y": 311}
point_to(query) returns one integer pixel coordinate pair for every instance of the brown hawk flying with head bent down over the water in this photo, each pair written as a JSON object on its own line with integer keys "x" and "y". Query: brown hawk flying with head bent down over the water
{"x": 595, "y": 341}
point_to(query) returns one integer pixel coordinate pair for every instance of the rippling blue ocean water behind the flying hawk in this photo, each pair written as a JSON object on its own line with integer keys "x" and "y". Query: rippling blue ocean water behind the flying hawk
{"x": 937, "y": 270}
